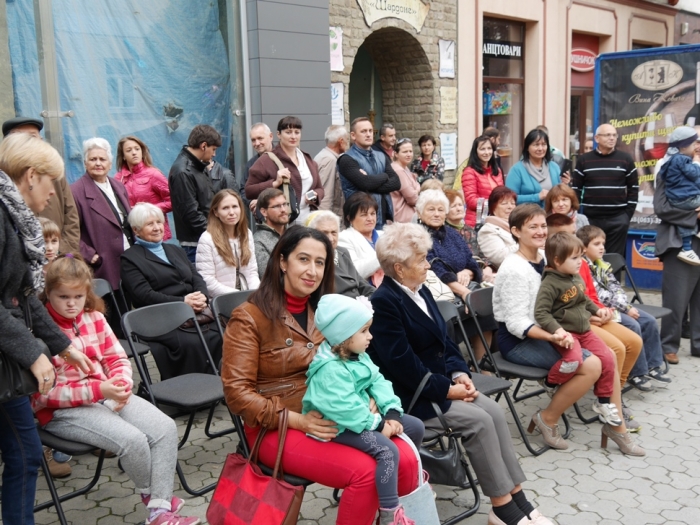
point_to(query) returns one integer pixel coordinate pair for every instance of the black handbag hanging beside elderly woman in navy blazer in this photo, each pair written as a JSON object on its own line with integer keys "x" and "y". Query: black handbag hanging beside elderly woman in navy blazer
{"x": 444, "y": 461}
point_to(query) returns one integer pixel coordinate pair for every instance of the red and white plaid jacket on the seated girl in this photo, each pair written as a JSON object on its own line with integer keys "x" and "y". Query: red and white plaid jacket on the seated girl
{"x": 93, "y": 336}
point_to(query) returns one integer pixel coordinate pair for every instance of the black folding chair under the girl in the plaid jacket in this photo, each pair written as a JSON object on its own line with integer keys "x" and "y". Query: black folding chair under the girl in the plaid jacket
{"x": 71, "y": 448}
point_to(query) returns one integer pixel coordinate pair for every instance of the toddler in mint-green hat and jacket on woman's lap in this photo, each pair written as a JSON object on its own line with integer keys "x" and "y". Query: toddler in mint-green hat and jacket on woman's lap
{"x": 340, "y": 382}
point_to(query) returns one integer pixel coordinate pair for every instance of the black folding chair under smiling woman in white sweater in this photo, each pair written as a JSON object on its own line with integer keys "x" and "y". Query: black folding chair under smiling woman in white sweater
{"x": 480, "y": 304}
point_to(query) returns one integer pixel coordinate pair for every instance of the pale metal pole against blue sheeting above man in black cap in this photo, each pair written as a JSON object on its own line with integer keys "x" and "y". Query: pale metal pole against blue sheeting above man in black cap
{"x": 48, "y": 74}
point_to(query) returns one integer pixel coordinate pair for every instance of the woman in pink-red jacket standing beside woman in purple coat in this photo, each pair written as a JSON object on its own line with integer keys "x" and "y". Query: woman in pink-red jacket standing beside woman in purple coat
{"x": 143, "y": 181}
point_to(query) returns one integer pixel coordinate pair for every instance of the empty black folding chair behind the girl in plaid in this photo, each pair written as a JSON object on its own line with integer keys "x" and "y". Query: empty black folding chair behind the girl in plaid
{"x": 189, "y": 393}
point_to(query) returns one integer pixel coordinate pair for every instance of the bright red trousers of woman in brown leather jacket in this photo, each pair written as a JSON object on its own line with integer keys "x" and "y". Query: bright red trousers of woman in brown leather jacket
{"x": 340, "y": 467}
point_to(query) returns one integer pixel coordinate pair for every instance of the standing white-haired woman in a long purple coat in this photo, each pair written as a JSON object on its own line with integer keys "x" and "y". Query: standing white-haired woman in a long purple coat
{"x": 103, "y": 206}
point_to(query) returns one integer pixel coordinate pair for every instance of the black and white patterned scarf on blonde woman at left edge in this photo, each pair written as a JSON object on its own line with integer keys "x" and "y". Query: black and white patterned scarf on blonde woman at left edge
{"x": 29, "y": 230}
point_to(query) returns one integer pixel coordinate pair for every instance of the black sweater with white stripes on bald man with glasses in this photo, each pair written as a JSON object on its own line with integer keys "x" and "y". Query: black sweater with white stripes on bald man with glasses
{"x": 606, "y": 185}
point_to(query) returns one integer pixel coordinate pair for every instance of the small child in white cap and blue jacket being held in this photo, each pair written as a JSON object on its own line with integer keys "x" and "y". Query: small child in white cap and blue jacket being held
{"x": 682, "y": 178}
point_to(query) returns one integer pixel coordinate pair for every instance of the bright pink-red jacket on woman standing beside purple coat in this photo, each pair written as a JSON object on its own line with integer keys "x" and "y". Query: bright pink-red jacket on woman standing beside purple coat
{"x": 147, "y": 184}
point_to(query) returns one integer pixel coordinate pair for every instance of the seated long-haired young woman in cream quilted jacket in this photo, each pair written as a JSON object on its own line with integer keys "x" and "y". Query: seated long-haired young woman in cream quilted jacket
{"x": 225, "y": 252}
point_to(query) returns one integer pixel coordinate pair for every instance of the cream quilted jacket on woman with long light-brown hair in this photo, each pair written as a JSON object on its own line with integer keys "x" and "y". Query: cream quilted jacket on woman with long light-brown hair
{"x": 219, "y": 276}
